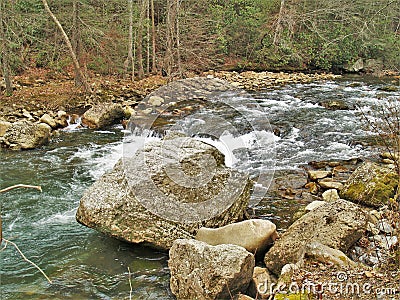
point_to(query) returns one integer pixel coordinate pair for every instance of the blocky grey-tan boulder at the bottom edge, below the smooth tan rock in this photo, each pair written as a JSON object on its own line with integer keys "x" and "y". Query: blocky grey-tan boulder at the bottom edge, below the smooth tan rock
{"x": 202, "y": 271}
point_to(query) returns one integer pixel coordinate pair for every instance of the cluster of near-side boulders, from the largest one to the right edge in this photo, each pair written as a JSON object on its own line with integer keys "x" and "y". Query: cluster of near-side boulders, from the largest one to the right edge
{"x": 227, "y": 254}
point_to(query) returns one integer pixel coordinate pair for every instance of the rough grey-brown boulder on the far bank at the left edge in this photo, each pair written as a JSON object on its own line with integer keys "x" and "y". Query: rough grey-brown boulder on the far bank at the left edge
{"x": 26, "y": 135}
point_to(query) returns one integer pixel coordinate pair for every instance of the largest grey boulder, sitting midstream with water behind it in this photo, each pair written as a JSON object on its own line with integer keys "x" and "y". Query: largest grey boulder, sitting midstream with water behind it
{"x": 115, "y": 203}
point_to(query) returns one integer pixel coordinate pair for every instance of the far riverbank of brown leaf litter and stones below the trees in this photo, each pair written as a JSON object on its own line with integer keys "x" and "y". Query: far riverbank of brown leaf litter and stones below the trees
{"x": 58, "y": 104}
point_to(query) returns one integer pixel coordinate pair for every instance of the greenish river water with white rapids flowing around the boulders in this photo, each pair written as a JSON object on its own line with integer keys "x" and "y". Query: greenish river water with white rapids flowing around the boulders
{"x": 84, "y": 264}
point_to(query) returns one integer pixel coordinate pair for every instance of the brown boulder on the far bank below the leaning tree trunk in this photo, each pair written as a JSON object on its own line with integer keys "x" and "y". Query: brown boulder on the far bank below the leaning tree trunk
{"x": 102, "y": 115}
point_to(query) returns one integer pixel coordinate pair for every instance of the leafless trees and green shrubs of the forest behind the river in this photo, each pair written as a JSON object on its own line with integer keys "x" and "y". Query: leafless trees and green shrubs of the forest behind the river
{"x": 142, "y": 37}
